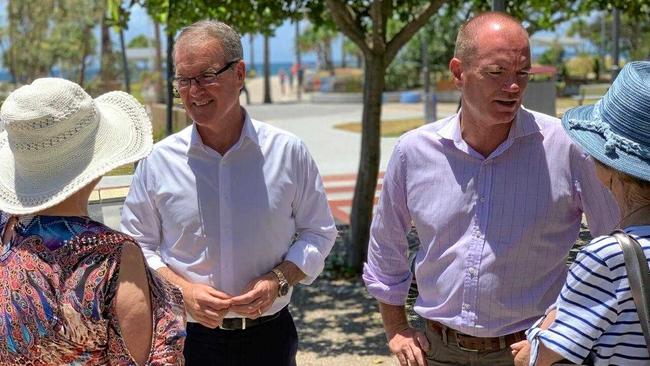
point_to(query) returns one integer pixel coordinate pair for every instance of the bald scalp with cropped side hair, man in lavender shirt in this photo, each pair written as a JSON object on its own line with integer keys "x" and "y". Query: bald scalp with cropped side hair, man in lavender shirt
{"x": 469, "y": 32}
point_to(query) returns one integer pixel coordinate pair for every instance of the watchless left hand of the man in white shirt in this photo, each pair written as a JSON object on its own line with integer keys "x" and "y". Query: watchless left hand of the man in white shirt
{"x": 206, "y": 305}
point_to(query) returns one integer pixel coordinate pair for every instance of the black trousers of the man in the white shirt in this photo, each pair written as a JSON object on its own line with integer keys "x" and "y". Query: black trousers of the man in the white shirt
{"x": 274, "y": 343}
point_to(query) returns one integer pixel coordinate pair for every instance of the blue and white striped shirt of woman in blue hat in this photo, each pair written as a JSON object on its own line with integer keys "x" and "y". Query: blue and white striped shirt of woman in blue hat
{"x": 595, "y": 310}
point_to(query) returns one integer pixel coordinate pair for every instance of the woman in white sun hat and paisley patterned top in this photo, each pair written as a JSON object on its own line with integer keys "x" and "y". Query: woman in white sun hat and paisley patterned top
{"x": 73, "y": 291}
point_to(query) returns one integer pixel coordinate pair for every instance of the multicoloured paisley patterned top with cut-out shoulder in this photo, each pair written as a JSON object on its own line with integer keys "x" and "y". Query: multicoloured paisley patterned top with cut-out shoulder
{"x": 58, "y": 279}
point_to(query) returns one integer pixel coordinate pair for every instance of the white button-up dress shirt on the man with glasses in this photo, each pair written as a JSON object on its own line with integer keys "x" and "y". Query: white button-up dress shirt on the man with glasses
{"x": 225, "y": 220}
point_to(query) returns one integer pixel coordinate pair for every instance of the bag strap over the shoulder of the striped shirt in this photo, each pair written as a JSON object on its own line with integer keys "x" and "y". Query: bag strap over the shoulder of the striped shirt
{"x": 638, "y": 276}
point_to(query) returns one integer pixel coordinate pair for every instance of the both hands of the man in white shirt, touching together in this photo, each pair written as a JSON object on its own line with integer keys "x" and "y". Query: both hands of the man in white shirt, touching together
{"x": 209, "y": 306}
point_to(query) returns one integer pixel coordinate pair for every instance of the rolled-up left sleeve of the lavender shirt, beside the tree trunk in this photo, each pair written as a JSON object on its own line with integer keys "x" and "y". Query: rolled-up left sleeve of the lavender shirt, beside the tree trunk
{"x": 387, "y": 273}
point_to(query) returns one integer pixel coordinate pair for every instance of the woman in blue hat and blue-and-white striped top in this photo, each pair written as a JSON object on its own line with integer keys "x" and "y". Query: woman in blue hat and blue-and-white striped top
{"x": 594, "y": 320}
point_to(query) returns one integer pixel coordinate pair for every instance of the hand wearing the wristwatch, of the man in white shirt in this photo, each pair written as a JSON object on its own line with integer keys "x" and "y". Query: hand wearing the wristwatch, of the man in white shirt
{"x": 257, "y": 297}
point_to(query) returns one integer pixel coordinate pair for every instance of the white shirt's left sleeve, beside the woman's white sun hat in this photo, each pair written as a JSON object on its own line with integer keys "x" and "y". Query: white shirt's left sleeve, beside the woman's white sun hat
{"x": 141, "y": 219}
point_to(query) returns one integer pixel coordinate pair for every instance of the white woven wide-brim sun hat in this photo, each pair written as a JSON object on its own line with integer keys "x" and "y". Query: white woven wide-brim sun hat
{"x": 57, "y": 140}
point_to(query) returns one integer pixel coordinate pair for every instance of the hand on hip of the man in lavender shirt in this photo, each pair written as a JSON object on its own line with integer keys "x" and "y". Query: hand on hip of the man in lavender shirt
{"x": 409, "y": 346}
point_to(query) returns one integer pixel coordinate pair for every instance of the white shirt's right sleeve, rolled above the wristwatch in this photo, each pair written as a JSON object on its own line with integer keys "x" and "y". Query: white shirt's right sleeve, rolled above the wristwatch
{"x": 315, "y": 226}
